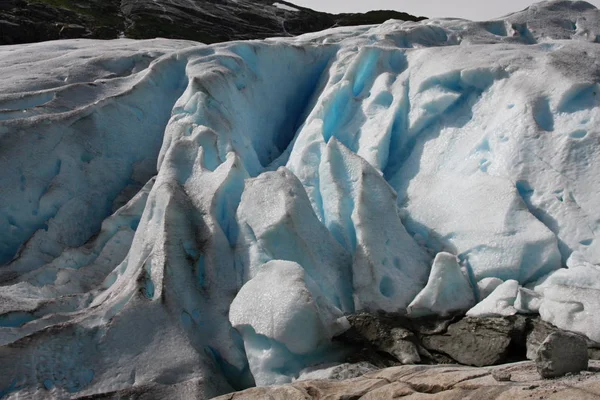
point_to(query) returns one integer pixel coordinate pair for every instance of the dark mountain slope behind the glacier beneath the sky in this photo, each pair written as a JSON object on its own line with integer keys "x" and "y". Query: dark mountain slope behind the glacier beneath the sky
{"x": 207, "y": 21}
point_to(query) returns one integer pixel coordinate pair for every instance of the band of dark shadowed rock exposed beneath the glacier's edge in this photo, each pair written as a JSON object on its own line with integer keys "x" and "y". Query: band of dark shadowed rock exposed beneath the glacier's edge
{"x": 385, "y": 340}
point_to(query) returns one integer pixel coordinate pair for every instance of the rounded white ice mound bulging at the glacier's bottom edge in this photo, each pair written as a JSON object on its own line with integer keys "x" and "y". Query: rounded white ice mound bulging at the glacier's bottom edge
{"x": 282, "y": 318}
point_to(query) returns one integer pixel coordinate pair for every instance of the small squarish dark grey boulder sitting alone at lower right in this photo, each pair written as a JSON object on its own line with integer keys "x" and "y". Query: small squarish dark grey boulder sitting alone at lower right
{"x": 562, "y": 353}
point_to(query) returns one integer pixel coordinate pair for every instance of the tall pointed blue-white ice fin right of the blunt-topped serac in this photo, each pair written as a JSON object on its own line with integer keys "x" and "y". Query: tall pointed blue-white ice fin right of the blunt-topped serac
{"x": 359, "y": 207}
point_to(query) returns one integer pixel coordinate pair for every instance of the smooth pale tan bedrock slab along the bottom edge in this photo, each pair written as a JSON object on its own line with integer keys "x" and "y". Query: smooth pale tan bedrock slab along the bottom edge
{"x": 437, "y": 383}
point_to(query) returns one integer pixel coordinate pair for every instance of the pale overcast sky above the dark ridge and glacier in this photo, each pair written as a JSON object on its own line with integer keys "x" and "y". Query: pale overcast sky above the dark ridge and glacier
{"x": 470, "y": 9}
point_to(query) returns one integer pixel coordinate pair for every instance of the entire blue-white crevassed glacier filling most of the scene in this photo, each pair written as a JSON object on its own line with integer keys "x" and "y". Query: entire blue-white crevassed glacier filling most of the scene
{"x": 185, "y": 220}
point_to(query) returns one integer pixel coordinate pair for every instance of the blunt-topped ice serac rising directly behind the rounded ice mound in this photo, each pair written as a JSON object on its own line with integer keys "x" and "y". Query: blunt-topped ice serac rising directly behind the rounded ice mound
{"x": 277, "y": 223}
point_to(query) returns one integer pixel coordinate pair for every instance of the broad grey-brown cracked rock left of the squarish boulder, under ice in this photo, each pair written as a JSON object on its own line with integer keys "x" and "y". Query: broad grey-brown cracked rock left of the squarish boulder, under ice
{"x": 481, "y": 341}
